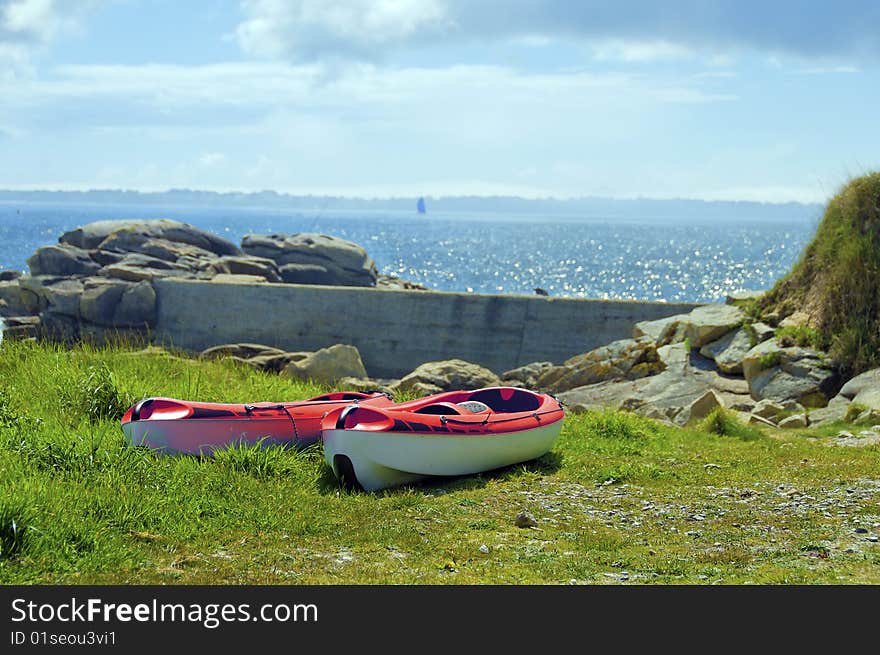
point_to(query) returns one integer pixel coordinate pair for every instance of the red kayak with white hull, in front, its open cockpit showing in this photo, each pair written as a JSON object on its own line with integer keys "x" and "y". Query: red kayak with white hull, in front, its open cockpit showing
{"x": 375, "y": 446}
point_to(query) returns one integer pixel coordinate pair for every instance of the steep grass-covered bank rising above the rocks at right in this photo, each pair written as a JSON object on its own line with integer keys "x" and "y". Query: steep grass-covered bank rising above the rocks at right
{"x": 837, "y": 279}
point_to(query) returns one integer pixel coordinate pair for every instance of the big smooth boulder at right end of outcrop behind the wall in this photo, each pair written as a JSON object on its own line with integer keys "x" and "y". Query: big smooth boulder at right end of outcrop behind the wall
{"x": 345, "y": 262}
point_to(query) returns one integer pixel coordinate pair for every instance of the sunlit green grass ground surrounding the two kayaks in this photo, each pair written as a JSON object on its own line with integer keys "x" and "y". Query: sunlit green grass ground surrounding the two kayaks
{"x": 620, "y": 498}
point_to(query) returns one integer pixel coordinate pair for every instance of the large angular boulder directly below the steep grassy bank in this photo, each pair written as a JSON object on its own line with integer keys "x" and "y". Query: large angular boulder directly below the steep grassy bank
{"x": 790, "y": 373}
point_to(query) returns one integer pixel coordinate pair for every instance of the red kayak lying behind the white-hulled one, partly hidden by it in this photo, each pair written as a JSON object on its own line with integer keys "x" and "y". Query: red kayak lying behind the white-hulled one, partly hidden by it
{"x": 172, "y": 425}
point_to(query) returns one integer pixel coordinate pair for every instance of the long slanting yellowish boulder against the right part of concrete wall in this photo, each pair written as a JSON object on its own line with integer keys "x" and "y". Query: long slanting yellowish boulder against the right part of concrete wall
{"x": 626, "y": 359}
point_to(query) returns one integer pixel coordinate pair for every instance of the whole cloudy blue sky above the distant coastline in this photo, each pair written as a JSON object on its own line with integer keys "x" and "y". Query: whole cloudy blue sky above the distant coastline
{"x": 771, "y": 101}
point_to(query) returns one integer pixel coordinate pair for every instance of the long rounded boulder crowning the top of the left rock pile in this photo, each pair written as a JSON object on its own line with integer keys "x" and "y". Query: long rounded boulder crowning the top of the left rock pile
{"x": 94, "y": 235}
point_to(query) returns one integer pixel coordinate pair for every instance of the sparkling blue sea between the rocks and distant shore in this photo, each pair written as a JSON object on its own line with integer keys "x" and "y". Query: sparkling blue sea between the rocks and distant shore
{"x": 686, "y": 261}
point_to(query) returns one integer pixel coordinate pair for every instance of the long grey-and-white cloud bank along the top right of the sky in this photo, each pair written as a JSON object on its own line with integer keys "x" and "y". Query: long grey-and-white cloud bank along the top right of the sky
{"x": 638, "y": 30}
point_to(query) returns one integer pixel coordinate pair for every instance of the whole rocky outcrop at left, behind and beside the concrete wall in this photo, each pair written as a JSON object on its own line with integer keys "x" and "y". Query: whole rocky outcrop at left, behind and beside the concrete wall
{"x": 97, "y": 277}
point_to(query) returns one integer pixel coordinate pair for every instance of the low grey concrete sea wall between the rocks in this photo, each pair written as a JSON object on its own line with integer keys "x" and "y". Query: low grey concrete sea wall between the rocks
{"x": 395, "y": 330}
